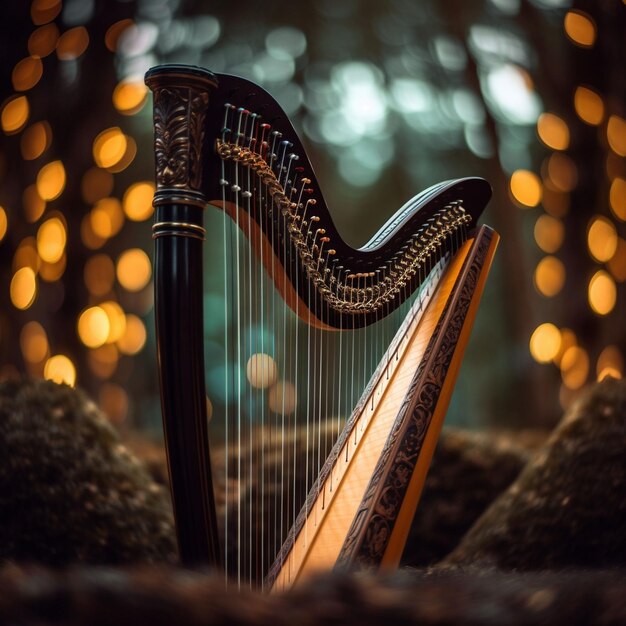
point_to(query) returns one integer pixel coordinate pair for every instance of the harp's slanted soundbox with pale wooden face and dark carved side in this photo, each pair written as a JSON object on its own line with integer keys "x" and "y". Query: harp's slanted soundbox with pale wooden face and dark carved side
{"x": 343, "y": 515}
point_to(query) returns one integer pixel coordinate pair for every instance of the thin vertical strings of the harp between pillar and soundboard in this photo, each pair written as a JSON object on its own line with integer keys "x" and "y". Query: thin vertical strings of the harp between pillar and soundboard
{"x": 289, "y": 386}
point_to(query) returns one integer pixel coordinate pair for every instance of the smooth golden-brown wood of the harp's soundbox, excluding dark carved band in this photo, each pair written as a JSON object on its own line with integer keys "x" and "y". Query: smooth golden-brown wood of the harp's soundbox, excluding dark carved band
{"x": 328, "y": 521}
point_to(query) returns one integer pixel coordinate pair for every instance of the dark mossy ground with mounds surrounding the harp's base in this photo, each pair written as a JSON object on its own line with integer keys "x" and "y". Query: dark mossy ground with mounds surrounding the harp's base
{"x": 512, "y": 533}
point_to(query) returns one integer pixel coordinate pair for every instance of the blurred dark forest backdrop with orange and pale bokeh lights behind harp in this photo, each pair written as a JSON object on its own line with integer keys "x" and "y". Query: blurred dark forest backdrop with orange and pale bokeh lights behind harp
{"x": 390, "y": 97}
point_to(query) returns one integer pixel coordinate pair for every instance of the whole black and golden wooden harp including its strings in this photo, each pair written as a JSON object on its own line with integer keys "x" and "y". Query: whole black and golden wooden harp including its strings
{"x": 337, "y": 364}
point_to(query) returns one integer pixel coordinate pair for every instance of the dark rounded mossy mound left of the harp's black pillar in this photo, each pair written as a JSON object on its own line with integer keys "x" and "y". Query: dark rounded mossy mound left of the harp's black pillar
{"x": 69, "y": 491}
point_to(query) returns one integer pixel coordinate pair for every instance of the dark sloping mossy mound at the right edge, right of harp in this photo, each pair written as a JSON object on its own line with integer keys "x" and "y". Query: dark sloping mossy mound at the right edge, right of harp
{"x": 568, "y": 506}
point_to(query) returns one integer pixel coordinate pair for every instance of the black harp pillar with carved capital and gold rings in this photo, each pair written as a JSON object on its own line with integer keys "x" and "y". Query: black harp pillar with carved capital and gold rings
{"x": 181, "y": 98}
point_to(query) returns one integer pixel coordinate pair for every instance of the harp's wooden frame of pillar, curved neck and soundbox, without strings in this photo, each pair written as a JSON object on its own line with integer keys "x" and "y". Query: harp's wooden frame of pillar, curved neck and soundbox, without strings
{"x": 223, "y": 141}
